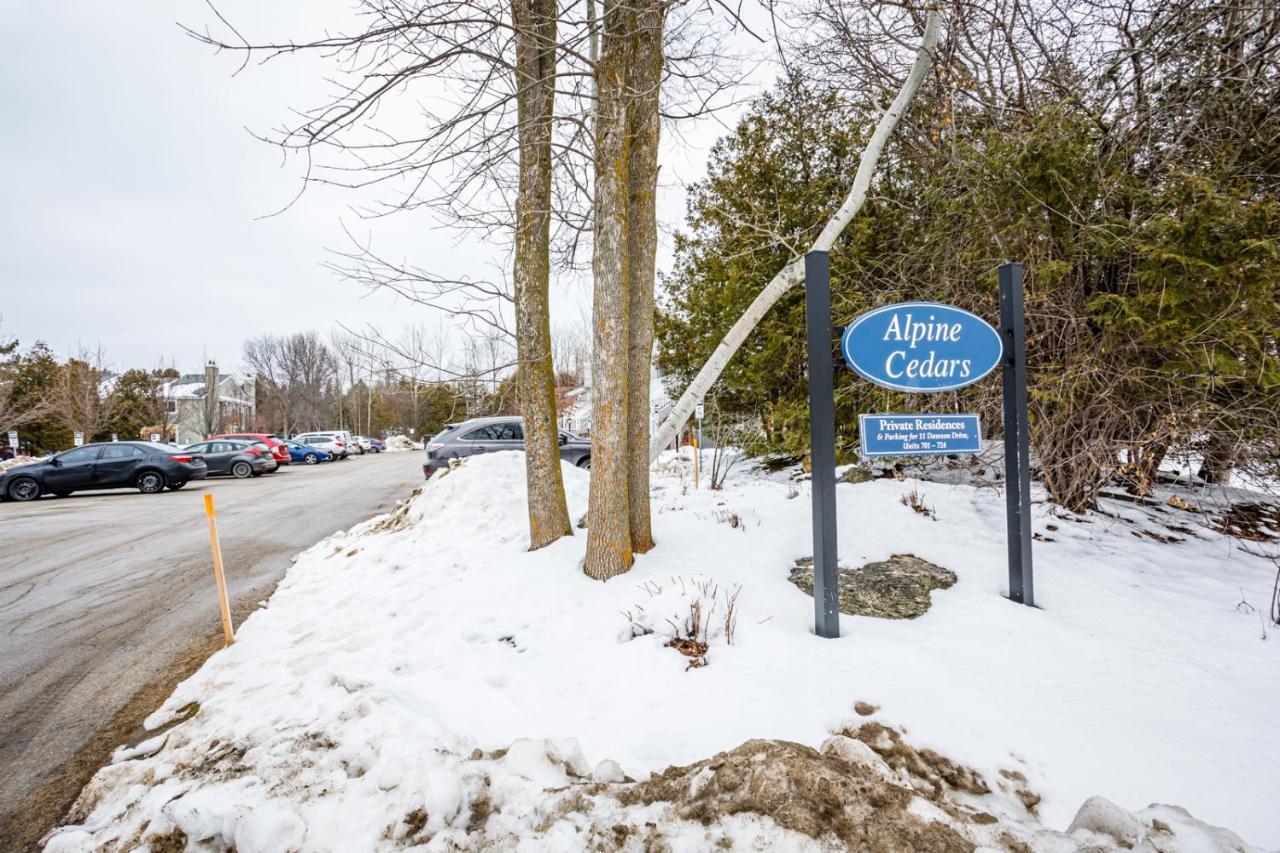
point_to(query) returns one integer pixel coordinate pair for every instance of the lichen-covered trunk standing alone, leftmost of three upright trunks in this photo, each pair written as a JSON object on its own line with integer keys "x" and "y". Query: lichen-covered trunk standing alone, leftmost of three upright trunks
{"x": 536, "y": 93}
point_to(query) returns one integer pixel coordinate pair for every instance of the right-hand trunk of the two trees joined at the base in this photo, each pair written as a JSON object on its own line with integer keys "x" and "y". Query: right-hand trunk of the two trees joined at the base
{"x": 644, "y": 124}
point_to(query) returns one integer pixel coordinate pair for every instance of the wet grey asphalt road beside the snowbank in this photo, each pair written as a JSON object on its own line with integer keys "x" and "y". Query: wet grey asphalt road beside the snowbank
{"x": 108, "y": 601}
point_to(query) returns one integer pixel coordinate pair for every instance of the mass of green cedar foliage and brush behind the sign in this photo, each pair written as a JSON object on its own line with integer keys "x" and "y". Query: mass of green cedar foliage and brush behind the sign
{"x": 1154, "y": 294}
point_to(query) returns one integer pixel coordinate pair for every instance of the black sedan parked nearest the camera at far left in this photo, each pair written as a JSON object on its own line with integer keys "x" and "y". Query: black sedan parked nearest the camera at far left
{"x": 111, "y": 466}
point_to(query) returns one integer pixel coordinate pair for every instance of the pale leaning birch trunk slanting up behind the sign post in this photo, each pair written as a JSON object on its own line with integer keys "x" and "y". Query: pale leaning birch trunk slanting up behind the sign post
{"x": 793, "y": 273}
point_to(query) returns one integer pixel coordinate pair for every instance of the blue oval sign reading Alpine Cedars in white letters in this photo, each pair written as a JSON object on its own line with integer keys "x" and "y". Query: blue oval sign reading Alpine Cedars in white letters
{"x": 921, "y": 346}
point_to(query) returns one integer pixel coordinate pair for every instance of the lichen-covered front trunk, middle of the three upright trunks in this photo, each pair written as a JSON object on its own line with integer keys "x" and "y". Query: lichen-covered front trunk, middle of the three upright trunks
{"x": 609, "y": 540}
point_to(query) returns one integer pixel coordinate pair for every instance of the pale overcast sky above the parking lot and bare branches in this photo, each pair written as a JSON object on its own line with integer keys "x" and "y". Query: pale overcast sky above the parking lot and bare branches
{"x": 134, "y": 197}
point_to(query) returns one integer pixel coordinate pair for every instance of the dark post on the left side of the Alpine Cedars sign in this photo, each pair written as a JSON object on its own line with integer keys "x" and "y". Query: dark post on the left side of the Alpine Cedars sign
{"x": 822, "y": 444}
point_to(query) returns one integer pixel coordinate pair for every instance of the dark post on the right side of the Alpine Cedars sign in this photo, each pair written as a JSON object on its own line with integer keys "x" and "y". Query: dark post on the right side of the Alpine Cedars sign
{"x": 1018, "y": 481}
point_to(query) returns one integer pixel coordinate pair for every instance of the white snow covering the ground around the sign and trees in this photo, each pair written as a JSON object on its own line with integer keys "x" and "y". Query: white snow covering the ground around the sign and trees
{"x": 424, "y": 664}
